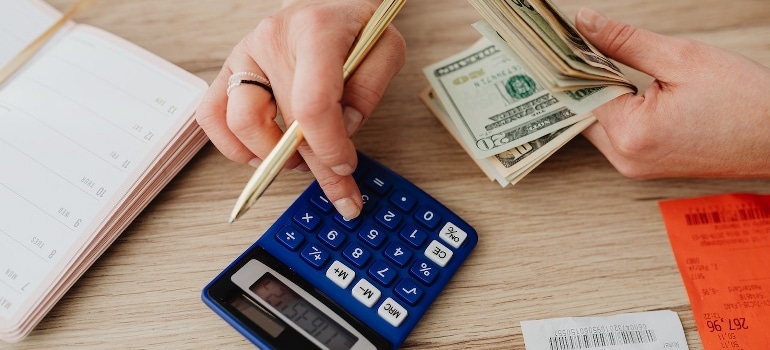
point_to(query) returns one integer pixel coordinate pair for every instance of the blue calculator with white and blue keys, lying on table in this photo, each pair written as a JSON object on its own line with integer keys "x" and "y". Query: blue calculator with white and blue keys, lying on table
{"x": 314, "y": 280}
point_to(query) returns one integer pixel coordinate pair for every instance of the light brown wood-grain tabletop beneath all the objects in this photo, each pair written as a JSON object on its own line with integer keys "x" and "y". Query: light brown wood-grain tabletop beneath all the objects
{"x": 574, "y": 238}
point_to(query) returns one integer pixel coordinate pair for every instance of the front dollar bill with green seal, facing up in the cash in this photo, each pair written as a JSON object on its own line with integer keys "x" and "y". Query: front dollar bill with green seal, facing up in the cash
{"x": 496, "y": 104}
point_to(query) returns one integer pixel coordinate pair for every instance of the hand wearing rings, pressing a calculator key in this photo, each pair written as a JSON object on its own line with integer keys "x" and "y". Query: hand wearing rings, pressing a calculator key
{"x": 301, "y": 51}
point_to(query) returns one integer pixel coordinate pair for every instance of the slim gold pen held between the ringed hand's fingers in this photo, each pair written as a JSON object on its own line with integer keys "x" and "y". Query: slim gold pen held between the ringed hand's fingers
{"x": 274, "y": 162}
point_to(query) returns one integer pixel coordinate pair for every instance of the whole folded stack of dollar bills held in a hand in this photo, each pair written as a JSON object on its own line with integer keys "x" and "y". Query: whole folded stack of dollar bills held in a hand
{"x": 524, "y": 90}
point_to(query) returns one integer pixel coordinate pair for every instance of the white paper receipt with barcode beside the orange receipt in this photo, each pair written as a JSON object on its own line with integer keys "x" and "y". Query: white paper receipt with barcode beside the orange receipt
{"x": 637, "y": 331}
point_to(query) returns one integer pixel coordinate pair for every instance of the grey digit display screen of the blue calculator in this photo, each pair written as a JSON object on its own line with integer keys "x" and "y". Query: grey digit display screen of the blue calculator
{"x": 304, "y": 315}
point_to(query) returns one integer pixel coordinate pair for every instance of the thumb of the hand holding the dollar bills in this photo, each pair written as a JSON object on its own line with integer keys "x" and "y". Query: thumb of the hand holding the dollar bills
{"x": 637, "y": 48}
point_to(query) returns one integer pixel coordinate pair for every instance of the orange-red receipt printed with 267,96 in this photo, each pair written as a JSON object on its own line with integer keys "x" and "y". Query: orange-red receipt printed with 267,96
{"x": 722, "y": 247}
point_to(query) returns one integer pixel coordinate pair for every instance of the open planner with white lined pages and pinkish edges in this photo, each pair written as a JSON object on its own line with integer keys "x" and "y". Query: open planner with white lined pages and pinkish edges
{"x": 91, "y": 129}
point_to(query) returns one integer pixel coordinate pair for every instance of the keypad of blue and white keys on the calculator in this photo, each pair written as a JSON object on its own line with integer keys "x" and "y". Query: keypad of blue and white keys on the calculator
{"x": 389, "y": 258}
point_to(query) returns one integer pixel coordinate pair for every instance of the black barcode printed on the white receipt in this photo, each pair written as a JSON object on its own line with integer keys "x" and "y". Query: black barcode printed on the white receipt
{"x": 596, "y": 340}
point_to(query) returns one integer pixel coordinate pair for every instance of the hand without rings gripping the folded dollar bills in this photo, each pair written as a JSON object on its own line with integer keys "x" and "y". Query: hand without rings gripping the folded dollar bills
{"x": 707, "y": 113}
